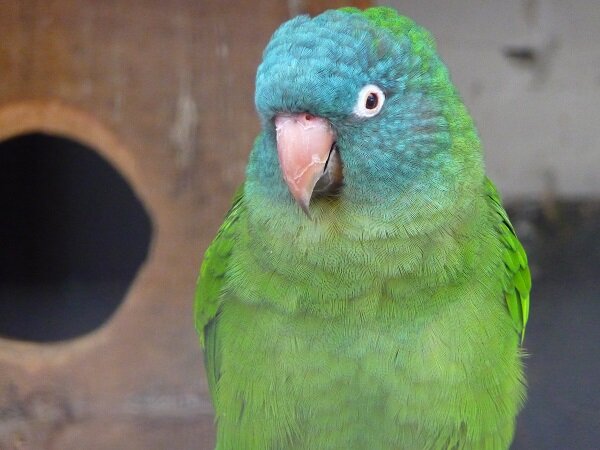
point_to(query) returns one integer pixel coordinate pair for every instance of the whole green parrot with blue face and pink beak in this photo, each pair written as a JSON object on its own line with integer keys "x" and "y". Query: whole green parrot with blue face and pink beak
{"x": 366, "y": 289}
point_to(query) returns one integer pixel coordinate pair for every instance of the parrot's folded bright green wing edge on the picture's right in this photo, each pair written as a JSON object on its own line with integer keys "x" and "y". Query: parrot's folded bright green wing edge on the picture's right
{"x": 518, "y": 279}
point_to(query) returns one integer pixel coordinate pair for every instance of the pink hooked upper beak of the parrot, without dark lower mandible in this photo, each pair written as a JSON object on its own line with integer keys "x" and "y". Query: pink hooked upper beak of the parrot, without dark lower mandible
{"x": 304, "y": 143}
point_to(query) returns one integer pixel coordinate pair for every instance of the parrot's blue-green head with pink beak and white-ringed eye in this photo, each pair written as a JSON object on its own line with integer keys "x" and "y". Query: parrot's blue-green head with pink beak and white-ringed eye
{"x": 357, "y": 106}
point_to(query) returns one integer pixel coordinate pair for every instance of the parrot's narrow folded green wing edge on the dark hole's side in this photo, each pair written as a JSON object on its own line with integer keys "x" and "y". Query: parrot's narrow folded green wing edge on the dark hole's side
{"x": 210, "y": 285}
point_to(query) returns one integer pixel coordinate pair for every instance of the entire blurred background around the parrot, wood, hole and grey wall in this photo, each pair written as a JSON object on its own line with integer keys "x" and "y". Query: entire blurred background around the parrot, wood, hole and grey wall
{"x": 124, "y": 131}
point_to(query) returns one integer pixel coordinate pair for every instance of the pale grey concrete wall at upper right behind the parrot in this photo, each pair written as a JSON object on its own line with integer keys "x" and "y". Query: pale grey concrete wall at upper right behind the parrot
{"x": 538, "y": 111}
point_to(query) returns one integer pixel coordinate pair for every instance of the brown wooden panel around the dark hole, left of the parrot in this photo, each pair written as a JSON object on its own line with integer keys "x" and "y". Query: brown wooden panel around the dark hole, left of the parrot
{"x": 164, "y": 91}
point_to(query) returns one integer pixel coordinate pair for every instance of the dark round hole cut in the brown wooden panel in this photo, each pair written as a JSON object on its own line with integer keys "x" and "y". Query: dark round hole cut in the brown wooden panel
{"x": 72, "y": 238}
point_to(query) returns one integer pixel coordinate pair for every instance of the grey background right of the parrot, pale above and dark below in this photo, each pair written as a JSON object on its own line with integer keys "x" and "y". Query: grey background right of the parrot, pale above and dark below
{"x": 529, "y": 71}
